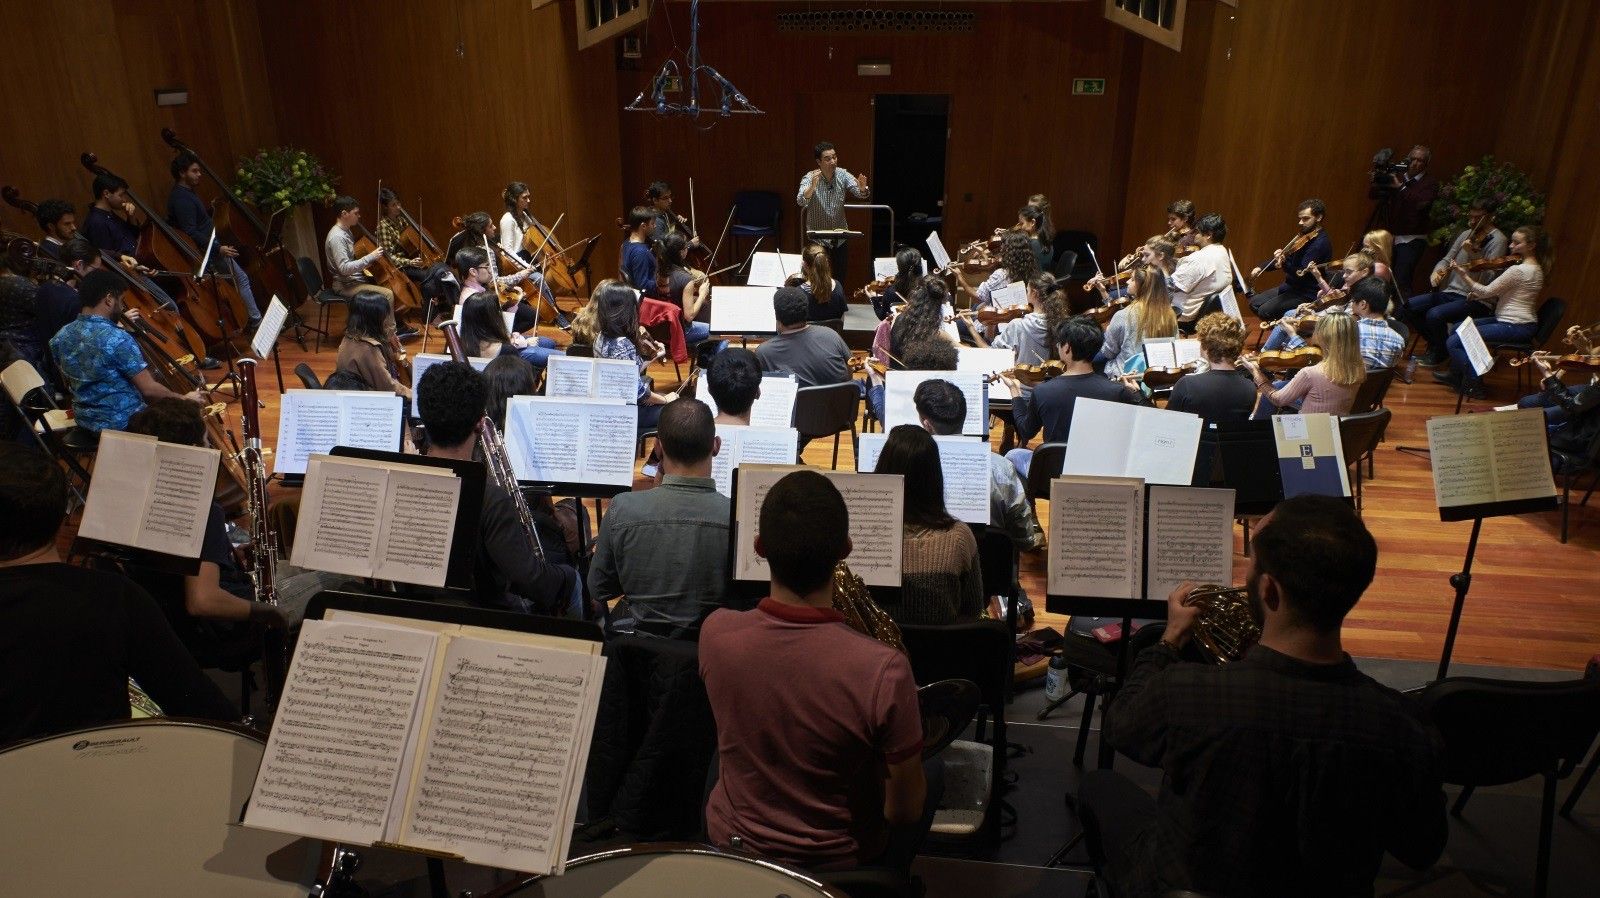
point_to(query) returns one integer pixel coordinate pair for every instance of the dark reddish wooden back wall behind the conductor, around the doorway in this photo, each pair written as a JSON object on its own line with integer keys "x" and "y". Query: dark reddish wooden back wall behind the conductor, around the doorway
{"x": 1015, "y": 127}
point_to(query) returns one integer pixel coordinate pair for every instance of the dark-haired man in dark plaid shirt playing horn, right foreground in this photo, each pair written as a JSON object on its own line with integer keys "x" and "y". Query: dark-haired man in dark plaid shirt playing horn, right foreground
{"x": 1289, "y": 772}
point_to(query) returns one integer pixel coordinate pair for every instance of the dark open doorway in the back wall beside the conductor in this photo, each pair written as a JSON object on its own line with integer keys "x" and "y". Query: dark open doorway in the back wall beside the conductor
{"x": 910, "y": 137}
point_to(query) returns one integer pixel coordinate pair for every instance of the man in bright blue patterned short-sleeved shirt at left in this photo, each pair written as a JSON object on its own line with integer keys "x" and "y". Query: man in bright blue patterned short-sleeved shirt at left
{"x": 103, "y": 364}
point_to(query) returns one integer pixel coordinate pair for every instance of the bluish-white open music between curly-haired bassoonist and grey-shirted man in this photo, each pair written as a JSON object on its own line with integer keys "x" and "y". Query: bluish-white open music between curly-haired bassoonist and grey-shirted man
{"x": 566, "y": 441}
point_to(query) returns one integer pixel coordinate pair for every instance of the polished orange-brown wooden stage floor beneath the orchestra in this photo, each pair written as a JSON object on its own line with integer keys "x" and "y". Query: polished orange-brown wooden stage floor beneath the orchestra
{"x": 1534, "y": 603}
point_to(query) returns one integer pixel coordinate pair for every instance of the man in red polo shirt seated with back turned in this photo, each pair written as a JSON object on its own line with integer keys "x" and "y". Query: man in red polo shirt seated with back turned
{"x": 818, "y": 728}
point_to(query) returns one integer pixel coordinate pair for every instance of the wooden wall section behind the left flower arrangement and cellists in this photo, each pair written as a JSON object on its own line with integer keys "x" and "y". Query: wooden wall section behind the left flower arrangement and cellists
{"x": 449, "y": 102}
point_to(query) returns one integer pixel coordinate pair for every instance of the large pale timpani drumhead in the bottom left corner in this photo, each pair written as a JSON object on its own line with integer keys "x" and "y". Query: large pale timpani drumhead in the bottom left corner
{"x": 146, "y": 808}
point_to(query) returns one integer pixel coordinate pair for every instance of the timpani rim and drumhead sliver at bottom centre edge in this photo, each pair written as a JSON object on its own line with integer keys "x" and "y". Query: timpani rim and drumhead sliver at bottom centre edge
{"x": 670, "y": 872}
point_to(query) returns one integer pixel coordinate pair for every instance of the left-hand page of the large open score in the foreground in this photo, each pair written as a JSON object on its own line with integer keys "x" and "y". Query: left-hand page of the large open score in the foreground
{"x": 335, "y": 753}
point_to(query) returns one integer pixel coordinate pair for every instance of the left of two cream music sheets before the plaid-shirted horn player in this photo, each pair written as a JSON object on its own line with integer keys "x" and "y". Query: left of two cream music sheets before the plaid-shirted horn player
{"x": 1106, "y": 521}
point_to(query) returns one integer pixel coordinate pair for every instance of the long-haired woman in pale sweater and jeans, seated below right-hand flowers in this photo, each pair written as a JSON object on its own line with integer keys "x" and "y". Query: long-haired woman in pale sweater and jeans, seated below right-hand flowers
{"x": 1514, "y": 295}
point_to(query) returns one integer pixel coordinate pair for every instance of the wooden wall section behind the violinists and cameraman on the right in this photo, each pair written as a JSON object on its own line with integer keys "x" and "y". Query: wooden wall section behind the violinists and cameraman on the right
{"x": 1273, "y": 103}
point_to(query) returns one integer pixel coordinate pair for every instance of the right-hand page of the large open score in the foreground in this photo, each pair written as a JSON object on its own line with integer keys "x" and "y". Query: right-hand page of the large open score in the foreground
{"x": 503, "y": 753}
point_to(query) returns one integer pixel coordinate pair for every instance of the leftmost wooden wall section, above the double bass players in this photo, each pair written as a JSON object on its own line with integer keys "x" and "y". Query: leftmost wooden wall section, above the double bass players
{"x": 84, "y": 78}
